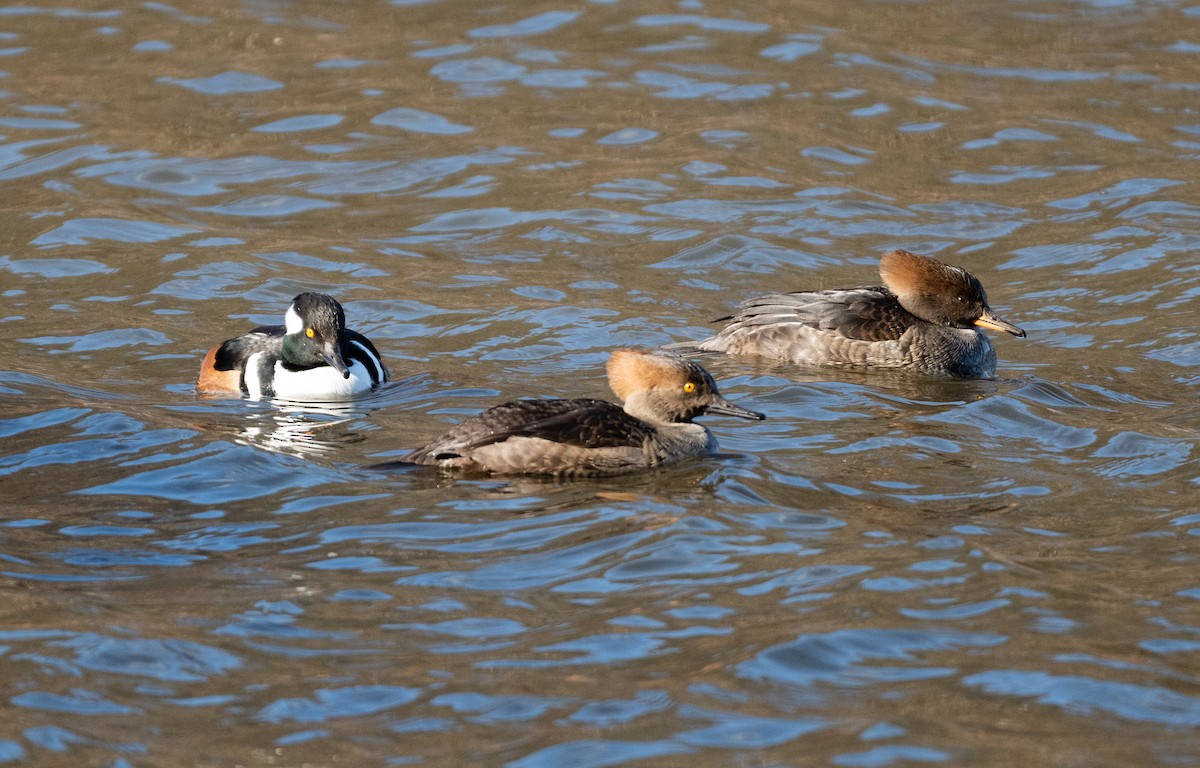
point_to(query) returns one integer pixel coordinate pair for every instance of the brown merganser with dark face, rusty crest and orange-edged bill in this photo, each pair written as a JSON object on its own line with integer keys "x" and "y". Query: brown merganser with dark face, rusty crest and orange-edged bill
{"x": 925, "y": 319}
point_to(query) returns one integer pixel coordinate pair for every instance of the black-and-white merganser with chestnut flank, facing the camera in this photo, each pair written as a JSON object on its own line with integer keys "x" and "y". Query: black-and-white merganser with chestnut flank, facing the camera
{"x": 311, "y": 358}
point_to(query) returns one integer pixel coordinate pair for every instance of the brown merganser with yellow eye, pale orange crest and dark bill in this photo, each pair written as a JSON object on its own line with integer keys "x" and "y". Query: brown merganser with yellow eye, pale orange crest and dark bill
{"x": 663, "y": 394}
